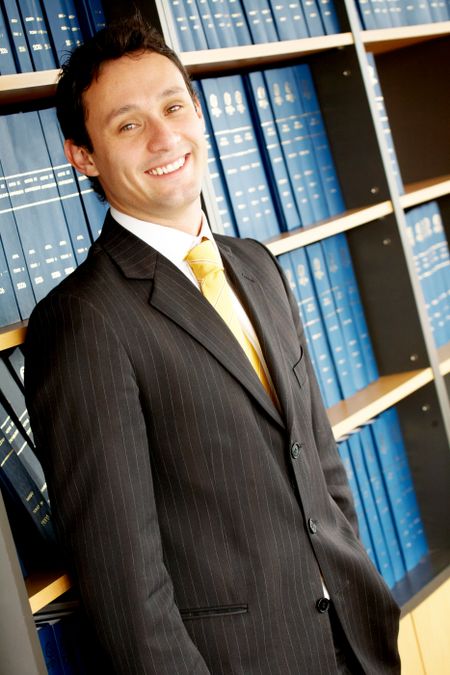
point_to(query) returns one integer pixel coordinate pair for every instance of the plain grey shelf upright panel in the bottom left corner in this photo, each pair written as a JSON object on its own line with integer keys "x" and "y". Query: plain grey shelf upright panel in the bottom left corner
{"x": 19, "y": 644}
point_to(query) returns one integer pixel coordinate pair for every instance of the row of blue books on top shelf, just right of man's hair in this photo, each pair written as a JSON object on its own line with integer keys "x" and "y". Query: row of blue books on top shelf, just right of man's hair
{"x": 211, "y": 24}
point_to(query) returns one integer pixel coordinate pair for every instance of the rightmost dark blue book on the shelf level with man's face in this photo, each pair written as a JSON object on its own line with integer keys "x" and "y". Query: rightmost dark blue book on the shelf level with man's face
{"x": 321, "y": 146}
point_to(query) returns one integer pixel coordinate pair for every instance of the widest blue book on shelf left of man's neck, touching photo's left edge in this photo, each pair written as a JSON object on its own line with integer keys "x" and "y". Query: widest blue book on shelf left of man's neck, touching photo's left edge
{"x": 36, "y": 202}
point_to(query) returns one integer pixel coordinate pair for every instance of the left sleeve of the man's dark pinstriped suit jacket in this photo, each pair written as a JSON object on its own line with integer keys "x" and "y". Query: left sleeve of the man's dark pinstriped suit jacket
{"x": 91, "y": 435}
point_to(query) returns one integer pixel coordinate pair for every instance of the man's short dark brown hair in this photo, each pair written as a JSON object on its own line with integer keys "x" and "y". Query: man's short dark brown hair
{"x": 121, "y": 37}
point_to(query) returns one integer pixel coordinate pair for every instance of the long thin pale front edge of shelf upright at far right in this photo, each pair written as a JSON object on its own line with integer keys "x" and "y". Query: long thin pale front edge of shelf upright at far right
{"x": 432, "y": 354}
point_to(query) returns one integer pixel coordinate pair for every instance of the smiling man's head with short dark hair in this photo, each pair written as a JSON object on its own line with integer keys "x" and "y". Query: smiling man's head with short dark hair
{"x": 130, "y": 116}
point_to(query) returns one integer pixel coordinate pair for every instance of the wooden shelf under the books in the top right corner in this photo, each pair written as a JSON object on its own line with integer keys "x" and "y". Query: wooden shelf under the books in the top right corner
{"x": 389, "y": 39}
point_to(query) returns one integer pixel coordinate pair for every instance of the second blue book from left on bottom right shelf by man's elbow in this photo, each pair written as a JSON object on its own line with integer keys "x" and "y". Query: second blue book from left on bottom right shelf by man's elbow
{"x": 373, "y": 520}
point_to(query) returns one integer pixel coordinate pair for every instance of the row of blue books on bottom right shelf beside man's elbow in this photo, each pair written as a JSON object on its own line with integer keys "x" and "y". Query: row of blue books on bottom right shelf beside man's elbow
{"x": 390, "y": 525}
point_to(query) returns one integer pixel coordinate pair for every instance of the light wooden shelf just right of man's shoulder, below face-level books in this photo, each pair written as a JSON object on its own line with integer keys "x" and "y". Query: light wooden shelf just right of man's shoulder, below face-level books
{"x": 289, "y": 241}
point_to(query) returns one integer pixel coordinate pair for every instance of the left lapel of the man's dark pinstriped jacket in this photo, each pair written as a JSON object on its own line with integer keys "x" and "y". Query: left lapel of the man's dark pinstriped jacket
{"x": 174, "y": 296}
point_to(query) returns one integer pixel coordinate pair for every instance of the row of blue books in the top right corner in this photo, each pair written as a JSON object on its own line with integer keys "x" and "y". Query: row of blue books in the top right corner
{"x": 391, "y": 13}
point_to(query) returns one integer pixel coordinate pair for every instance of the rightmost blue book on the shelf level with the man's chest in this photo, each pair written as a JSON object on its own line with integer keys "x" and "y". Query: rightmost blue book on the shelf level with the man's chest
{"x": 349, "y": 328}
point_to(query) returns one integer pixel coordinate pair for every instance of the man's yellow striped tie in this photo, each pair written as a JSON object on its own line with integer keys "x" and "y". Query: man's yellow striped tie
{"x": 207, "y": 266}
